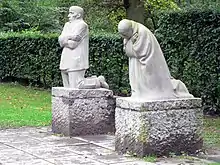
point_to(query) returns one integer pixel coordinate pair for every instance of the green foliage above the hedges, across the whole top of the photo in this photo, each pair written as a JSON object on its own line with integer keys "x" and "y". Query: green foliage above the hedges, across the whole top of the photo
{"x": 50, "y": 15}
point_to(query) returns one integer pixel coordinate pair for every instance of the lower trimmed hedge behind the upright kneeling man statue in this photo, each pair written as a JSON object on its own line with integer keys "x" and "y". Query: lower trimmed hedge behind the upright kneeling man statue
{"x": 36, "y": 57}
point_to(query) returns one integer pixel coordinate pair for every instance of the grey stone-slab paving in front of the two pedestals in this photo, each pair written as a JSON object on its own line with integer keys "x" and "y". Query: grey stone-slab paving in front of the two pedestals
{"x": 32, "y": 146}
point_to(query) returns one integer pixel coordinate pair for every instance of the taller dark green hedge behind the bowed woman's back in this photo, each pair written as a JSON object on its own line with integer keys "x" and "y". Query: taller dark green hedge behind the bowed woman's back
{"x": 190, "y": 41}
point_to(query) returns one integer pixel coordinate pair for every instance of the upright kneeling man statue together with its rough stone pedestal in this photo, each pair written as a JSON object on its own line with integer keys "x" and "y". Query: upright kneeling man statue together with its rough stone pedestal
{"x": 84, "y": 106}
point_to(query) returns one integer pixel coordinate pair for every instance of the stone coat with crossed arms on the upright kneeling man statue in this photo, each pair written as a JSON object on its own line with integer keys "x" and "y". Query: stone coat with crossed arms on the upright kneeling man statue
{"x": 75, "y": 40}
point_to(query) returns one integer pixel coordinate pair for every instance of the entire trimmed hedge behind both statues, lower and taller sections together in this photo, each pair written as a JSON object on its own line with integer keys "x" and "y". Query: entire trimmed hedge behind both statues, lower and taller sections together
{"x": 189, "y": 39}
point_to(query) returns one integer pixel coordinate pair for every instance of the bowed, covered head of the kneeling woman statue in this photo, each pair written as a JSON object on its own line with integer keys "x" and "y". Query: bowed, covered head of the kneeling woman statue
{"x": 125, "y": 28}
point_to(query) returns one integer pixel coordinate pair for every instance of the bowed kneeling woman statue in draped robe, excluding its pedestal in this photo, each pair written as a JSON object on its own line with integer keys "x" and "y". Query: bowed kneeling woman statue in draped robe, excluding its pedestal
{"x": 149, "y": 75}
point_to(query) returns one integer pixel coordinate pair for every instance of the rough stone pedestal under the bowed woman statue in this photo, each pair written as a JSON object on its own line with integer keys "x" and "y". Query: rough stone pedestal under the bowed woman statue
{"x": 158, "y": 127}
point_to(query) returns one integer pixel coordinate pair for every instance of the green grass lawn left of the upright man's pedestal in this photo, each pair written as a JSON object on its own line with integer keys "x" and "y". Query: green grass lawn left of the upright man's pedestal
{"x": 24, "y": 106}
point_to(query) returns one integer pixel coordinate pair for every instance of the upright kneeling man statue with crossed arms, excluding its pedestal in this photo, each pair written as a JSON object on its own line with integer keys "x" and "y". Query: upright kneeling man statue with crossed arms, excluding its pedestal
{"x": 75, "y": 55}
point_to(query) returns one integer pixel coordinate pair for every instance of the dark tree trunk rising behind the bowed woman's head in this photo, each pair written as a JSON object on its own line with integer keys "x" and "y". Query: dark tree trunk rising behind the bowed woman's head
{"x": 135, "y": 10}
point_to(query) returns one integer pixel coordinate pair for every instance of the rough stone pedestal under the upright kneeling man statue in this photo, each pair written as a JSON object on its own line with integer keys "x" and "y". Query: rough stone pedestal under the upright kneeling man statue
{"x": 82, "y": 111}
